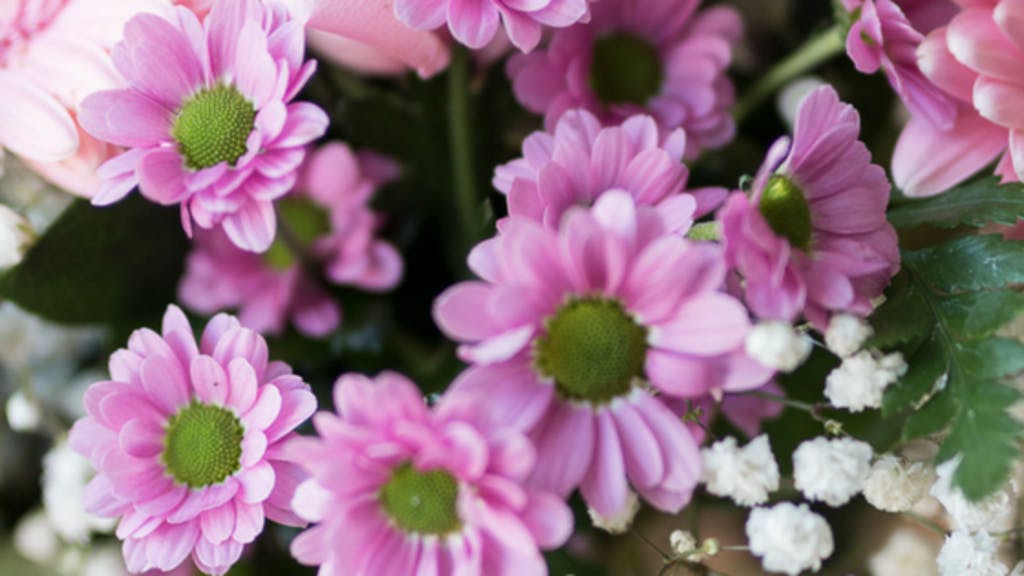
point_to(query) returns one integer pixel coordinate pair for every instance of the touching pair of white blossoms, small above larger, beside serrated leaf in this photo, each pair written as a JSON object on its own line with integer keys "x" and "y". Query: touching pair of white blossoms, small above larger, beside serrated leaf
{"x": 862, "y": 380}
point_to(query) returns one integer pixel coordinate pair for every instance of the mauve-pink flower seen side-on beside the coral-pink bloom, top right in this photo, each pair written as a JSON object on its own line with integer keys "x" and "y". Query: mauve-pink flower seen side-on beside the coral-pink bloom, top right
{"x": 882, "y": 37}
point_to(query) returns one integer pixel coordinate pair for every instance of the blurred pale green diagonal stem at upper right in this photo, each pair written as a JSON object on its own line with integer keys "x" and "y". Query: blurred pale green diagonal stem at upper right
{"x": 816, "y": 52}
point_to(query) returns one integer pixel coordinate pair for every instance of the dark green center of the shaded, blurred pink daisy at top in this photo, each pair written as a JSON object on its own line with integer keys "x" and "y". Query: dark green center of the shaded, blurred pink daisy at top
{"x": 626, "y": 69}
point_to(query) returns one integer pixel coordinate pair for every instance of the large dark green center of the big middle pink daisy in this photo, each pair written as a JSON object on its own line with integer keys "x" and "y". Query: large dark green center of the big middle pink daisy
{"x": 593, "y": 350}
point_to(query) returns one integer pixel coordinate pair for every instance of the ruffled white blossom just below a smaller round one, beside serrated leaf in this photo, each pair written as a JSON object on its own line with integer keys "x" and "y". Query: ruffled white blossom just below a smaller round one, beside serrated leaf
{"x": 863, "y": 379}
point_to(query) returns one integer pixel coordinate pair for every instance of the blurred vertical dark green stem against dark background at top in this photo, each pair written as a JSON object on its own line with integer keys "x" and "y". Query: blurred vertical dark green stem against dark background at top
{"x": 461, "y": 149}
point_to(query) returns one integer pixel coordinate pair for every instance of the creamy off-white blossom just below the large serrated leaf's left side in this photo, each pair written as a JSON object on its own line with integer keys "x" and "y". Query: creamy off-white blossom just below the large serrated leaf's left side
{"x": 895, "y": 485}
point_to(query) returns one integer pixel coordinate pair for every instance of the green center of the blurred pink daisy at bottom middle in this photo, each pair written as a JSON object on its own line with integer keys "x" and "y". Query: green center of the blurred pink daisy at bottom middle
{"x": 422, "y": 503}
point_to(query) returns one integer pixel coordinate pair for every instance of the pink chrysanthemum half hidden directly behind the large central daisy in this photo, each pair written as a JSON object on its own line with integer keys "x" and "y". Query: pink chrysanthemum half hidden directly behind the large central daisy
{"x": 580, "y": 160}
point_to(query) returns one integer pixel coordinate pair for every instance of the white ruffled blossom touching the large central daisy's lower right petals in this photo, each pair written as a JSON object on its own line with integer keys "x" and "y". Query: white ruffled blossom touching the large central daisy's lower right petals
{"x": 747, "y": 475}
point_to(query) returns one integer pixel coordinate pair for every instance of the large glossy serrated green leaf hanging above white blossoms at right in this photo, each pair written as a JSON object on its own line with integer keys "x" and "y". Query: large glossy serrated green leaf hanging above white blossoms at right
{"x": 945, "y": 311}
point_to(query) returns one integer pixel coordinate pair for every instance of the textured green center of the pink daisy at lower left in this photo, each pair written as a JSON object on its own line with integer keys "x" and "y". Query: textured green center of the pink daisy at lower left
{"x": 203, "y": 445}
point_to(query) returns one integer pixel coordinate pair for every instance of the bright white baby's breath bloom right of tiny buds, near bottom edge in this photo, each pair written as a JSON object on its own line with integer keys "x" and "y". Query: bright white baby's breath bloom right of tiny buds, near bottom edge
{"x": 789, "y": 539}
